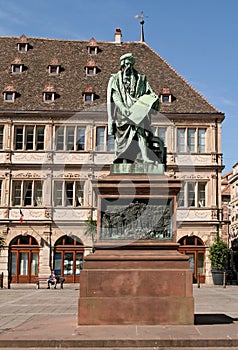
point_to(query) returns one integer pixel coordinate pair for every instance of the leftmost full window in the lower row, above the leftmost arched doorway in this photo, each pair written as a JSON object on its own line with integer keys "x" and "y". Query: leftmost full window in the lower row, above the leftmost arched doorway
{"x": 27, "y": 193}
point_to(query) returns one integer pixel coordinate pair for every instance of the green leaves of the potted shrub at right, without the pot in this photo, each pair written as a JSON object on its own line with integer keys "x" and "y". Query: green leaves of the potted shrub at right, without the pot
{"x": 218, "y": 254}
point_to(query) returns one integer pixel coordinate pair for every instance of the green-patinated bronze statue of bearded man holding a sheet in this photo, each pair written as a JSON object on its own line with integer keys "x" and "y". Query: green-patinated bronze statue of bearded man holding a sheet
{"x": 130, "y": 101}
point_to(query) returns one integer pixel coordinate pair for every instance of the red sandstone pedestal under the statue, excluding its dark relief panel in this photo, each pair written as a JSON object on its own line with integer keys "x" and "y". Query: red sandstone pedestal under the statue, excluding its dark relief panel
{"x": 137, "y": 281}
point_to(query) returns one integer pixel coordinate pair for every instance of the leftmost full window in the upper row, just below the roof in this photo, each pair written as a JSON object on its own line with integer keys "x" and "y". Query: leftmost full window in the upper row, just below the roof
{"x": 29, "y": 137}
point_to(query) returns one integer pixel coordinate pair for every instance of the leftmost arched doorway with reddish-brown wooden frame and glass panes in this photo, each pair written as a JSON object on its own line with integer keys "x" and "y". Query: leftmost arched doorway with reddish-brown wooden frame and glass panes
{"x": 23, "y": 259}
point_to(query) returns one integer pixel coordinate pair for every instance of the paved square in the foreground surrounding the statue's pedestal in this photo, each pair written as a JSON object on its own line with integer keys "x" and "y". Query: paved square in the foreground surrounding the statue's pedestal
{"x": 31, "y": 318}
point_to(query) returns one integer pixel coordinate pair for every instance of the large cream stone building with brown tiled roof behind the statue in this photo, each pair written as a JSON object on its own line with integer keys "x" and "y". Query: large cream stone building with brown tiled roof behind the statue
{"x": 54, "y": 141}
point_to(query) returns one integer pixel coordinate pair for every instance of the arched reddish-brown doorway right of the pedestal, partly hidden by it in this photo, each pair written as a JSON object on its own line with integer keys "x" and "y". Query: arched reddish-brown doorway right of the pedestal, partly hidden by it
{"x": 194, "y": 247}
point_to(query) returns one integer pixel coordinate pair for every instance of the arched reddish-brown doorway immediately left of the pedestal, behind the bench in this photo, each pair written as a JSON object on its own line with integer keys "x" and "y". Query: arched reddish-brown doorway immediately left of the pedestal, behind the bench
{"x": 68, "y": 258}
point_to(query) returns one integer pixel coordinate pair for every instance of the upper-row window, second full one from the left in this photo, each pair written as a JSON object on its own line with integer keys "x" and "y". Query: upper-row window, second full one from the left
{"x": 70, "y": 138}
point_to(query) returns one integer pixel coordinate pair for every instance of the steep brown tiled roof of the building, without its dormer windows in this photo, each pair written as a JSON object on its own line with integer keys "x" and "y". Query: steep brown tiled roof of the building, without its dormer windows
{"x": 72, "y": 80}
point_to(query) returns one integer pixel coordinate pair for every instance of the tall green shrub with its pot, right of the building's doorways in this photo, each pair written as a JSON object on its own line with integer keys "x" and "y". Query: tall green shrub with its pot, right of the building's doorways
{"x": 218, "y": 254}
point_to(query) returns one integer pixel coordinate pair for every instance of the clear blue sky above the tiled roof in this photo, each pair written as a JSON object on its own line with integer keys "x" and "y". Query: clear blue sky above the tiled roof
{"x": 197, "y": 37}
